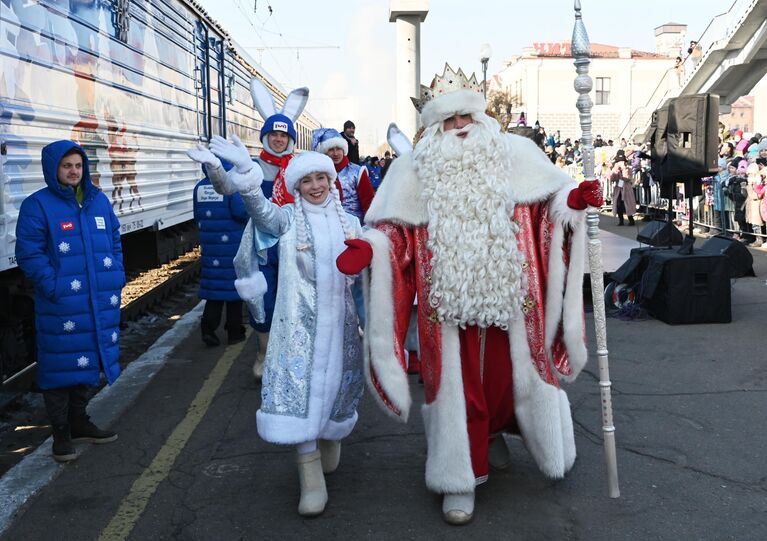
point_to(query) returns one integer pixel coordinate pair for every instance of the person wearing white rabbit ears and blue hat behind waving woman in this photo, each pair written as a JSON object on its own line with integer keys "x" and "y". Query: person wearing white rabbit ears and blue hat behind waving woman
{"x": 278, "y": 137}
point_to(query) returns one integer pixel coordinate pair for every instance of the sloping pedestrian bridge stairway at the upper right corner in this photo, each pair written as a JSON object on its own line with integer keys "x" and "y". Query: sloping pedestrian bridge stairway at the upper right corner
{"x": 732, "y": 60}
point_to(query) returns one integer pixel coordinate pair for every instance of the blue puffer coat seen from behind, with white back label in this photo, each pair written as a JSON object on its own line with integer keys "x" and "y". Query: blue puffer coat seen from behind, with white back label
{"x": 221, "y": 220}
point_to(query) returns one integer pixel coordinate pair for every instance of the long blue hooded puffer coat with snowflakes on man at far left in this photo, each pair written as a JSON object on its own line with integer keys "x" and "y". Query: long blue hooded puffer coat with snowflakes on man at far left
{"x": 73, "y": 256}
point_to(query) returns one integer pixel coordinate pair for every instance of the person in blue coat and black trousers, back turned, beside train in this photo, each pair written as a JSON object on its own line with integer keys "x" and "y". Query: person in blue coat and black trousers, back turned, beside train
{"x": 221, "y": 220}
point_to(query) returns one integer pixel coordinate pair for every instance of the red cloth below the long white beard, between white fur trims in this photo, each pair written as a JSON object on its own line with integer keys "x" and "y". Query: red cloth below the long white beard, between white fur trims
{"x": 489, "y": 399}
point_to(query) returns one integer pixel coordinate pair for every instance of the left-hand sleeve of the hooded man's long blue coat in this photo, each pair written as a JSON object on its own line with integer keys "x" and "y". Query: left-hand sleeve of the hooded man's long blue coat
{"x": 32, "y": 253}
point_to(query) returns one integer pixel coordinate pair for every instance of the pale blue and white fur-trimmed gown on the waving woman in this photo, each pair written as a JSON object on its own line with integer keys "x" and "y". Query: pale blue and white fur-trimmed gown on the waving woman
{"x": 312, "y": 378}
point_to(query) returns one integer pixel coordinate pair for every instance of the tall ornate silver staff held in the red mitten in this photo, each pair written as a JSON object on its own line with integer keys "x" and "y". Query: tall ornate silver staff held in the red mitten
{"x": 581, "y": 49}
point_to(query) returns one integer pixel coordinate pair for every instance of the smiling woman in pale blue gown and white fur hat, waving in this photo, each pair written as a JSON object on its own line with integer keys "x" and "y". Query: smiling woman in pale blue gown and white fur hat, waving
{"x": 312, "y": 379}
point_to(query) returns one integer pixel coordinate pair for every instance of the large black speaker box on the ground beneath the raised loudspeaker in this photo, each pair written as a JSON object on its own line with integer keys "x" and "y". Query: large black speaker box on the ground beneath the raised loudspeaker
{"x": 683, "y": 289}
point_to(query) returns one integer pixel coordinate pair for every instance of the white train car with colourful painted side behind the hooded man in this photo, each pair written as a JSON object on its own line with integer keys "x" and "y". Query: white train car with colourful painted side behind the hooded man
{"x": 137, "y": 82}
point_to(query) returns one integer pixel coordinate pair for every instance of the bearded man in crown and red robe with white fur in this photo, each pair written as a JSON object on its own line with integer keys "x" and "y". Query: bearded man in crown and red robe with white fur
{"x": 476, "y": 223}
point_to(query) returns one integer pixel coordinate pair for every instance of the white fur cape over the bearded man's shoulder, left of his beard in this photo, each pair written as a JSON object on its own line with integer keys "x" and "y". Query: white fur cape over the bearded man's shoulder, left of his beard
{"x": 399, "y": 198}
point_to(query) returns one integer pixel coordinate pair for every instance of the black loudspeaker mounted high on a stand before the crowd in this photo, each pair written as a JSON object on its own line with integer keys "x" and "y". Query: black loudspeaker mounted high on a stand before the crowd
{"x": 693, "y": 138}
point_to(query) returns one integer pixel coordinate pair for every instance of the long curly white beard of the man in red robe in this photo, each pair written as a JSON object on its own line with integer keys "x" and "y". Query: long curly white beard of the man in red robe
{"x": 477, "y": 276}
